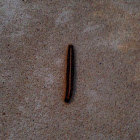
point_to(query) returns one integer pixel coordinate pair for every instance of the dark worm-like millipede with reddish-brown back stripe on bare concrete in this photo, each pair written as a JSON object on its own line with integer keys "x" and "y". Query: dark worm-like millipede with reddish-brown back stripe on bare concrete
{"x": 69, "y": 73}
